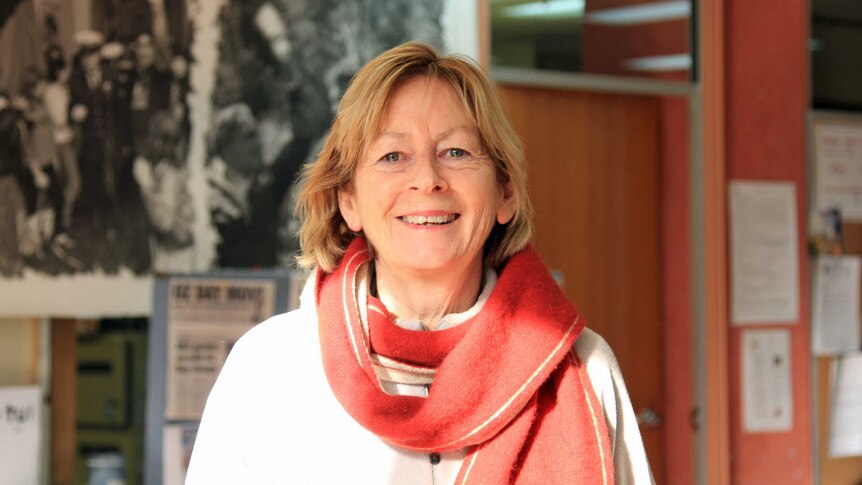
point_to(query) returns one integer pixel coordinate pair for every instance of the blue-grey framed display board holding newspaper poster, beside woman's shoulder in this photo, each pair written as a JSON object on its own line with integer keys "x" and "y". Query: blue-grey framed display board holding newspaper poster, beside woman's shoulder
{"x": 195, "y": 322}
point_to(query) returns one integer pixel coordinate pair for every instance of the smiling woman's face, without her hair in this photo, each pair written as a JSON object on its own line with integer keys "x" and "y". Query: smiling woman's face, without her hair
{"x": 425, "y": 194}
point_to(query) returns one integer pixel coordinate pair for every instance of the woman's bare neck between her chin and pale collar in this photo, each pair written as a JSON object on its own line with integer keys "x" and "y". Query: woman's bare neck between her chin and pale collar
{"x": 428, "y": 297}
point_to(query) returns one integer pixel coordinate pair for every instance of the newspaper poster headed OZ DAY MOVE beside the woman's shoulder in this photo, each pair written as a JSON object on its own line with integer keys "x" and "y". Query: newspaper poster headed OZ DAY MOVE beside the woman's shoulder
{"x": 205, "y": 319}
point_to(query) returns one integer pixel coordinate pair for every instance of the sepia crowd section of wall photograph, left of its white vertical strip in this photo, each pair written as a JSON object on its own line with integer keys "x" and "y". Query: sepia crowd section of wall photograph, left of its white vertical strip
{"x": 88, "y": 114}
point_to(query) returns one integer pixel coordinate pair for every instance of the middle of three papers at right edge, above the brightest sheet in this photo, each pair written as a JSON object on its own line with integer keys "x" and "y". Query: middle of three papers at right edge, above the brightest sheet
{"x": 835, "y": 320}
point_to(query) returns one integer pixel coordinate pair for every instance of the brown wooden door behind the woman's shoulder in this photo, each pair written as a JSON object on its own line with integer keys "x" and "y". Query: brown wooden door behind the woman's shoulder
{"x": 594, "y": 178}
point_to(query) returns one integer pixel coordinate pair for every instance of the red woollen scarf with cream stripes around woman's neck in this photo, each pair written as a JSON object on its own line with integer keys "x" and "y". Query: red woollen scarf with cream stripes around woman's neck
{"x": 509, "y": 385}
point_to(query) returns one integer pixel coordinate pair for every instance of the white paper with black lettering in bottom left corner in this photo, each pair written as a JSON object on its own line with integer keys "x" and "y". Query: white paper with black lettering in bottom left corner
{"x": 20, "y": 435}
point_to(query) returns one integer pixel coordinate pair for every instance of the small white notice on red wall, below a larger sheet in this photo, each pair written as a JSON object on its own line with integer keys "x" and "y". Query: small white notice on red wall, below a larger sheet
{"x": 767, "y": 393}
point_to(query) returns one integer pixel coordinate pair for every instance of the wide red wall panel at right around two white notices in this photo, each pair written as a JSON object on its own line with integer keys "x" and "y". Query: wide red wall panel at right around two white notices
{"x": 766, "y": 99}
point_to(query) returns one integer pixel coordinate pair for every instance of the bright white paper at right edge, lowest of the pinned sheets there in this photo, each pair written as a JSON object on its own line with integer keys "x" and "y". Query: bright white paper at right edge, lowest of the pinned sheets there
{"x": 845, "y": 433}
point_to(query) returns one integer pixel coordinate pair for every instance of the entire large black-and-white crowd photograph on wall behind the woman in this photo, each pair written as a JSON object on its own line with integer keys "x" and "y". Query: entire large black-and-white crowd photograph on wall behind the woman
{"x": 167, "y": 136}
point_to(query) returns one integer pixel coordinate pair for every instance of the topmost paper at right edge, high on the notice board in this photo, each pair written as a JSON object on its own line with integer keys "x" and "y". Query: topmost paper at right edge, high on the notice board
{"x": 838, "y": 167}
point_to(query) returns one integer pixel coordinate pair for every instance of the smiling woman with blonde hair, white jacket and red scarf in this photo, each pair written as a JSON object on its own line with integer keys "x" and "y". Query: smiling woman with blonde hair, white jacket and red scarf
{"x": 432, "y": 345}
